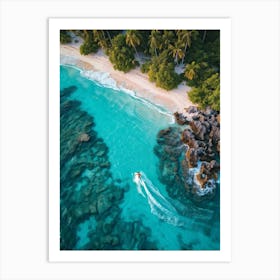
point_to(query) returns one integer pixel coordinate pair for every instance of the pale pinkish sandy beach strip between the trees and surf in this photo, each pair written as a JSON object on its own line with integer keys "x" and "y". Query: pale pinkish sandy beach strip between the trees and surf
{"x": 174, "y": 100}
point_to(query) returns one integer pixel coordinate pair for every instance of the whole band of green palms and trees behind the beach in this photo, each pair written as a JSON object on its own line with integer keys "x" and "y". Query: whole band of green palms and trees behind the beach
{"x": 169, "y": 57}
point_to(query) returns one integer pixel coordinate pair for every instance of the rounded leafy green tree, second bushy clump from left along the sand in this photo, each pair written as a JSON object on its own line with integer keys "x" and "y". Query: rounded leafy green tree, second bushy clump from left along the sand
{"x": 121, "y": 55}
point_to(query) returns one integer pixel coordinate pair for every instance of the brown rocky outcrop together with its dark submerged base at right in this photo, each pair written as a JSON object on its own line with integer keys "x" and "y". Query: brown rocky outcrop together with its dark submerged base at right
{"x": 189, "y": 156}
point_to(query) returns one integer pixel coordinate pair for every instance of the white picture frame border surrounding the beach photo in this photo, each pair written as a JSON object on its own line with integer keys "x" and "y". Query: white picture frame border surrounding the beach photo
{"x": 57, "y": 255}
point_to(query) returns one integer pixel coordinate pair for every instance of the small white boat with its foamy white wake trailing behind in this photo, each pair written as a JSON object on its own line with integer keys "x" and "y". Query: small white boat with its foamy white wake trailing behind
{"x": 159, "y": 205}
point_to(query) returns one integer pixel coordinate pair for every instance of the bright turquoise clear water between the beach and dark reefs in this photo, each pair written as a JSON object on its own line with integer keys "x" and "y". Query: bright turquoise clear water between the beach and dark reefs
{"x": 129, "y": 126}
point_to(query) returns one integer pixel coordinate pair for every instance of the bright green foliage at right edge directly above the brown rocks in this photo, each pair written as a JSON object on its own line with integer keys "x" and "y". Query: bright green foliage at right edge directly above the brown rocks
{"x": 208, "y": 93}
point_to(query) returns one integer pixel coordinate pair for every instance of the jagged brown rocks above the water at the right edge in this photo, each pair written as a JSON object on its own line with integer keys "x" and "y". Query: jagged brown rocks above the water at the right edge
{"x": 203, "y": 140}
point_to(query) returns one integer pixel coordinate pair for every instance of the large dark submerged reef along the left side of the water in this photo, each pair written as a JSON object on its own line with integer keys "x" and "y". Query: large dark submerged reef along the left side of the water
{"x": 88, "y": 191}
